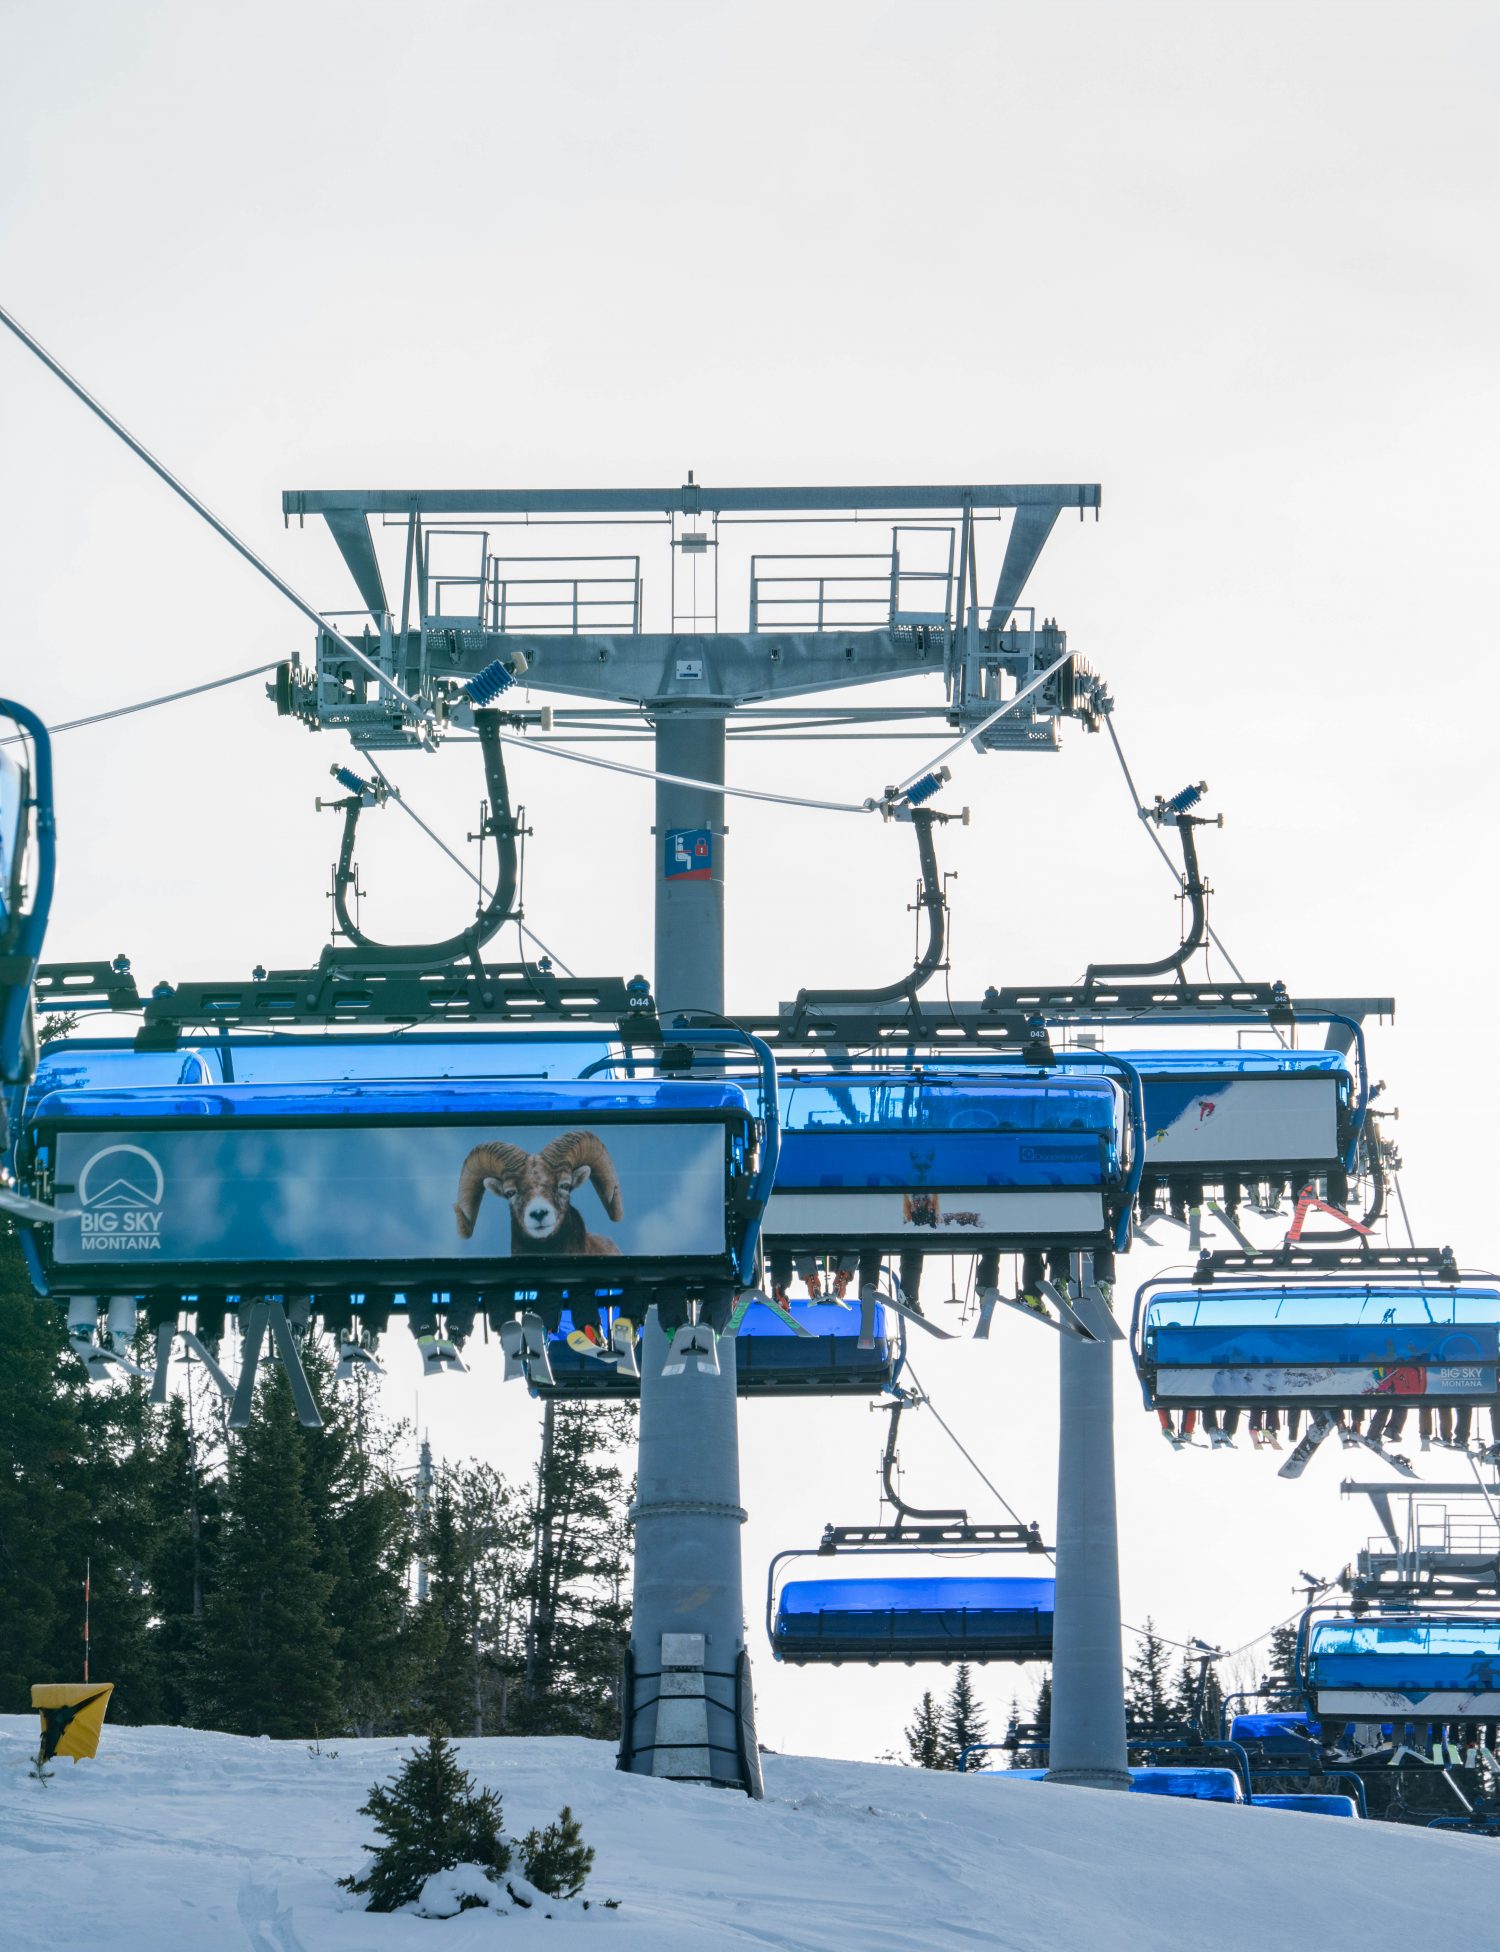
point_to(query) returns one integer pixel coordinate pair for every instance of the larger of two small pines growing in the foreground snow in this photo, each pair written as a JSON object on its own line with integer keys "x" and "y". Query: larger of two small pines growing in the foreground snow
{"x": 433, "y": 1820}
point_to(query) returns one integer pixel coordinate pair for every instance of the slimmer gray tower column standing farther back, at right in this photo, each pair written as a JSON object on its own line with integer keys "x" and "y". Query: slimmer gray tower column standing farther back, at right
{"x": 1089, "y": 1682}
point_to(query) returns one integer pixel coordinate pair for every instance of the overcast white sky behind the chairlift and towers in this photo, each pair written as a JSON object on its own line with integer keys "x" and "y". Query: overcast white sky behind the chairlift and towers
{"x": 1235, "y": 263}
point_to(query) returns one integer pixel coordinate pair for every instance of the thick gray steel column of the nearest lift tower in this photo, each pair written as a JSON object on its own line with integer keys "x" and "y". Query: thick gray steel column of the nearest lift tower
{"x": 690, "y": 1711}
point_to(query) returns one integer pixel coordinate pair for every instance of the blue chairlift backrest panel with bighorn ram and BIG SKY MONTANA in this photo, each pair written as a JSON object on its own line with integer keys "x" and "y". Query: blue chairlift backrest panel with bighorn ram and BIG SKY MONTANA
{"x": 394, "y": 1186}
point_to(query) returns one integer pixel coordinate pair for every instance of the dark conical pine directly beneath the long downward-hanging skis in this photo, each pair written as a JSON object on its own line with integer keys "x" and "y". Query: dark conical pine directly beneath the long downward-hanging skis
{"x": 271, "y": 1648}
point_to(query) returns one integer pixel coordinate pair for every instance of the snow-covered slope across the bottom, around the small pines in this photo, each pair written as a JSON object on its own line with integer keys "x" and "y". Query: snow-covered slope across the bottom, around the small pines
{"x": 181, "y": 1842}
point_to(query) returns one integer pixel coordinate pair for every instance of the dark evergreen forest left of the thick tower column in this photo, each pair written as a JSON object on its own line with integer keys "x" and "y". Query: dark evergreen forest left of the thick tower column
{"x": 292, "y": 1582}
